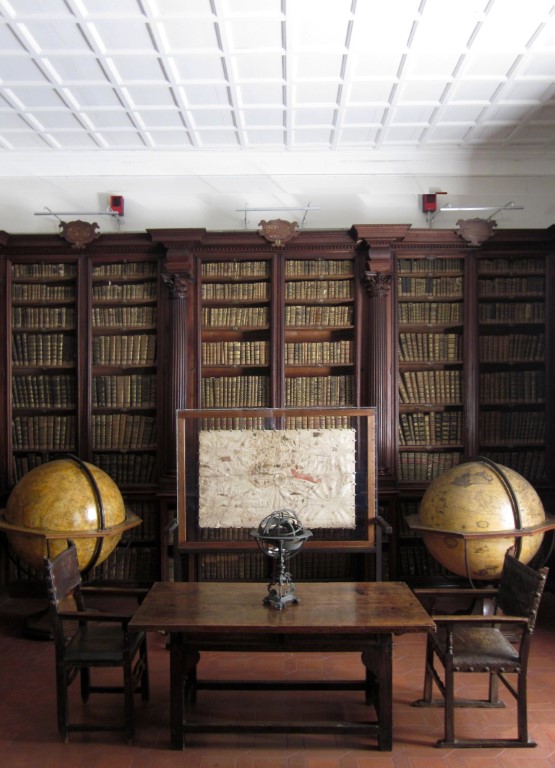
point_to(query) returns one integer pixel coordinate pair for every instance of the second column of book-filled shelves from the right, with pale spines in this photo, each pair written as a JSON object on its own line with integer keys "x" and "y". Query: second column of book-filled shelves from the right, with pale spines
{"x": 430, "y": 320}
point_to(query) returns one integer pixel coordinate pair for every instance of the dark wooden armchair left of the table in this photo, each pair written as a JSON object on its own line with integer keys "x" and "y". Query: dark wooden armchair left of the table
{"x": 92, "y": 638}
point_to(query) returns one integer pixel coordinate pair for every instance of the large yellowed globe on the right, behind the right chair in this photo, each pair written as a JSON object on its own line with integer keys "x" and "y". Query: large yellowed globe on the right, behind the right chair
{"x": 472, "y": 513}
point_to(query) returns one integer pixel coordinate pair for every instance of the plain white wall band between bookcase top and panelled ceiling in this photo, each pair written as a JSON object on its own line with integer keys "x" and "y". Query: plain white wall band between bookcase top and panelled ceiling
{"x": 207, "y": 189}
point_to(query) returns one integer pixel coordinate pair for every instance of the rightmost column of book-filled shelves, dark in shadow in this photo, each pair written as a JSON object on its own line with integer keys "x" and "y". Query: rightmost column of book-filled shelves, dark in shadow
{"x": 512, "y": 317}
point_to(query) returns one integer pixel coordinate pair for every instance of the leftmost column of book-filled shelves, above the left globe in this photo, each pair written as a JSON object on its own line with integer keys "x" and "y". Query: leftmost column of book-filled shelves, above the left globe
{"x": 44, "y": 361}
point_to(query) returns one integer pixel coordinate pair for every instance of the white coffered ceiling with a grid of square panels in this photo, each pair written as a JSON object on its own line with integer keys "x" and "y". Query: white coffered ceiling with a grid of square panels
{"x": 167, "y": 74}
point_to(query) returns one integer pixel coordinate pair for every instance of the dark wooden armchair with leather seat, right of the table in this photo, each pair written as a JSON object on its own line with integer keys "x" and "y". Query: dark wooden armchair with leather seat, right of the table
{"x": 477, "y": 643}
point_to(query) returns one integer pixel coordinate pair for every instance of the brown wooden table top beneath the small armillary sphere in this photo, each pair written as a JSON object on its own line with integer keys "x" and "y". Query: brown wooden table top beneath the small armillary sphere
{"x": 235, "y": 607}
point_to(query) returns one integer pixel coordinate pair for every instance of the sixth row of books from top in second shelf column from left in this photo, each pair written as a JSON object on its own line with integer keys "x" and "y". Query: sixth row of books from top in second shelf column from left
{"x": 123, "y": 431}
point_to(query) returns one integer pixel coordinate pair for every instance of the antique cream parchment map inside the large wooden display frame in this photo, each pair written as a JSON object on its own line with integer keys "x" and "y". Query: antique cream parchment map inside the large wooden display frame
{"x": 246, "y": 475}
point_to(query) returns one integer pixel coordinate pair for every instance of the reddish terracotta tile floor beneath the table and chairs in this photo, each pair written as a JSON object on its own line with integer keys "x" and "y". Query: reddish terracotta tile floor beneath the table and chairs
{"x": 28, "y": 735}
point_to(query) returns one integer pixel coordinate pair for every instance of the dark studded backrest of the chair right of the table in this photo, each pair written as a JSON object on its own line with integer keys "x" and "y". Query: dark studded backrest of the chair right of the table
{"x": 520, "y": 589}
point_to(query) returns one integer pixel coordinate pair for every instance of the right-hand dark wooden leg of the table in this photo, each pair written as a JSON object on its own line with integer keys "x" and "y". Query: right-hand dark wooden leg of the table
{"x": 379, "y": 675}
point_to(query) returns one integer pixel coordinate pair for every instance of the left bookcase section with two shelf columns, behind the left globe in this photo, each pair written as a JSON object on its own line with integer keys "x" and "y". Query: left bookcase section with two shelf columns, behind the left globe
{"x": 80, "y": 350}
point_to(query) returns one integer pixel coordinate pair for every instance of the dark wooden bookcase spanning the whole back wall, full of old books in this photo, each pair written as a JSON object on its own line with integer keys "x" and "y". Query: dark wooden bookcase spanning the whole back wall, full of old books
{"x": 452, "y": 343}
